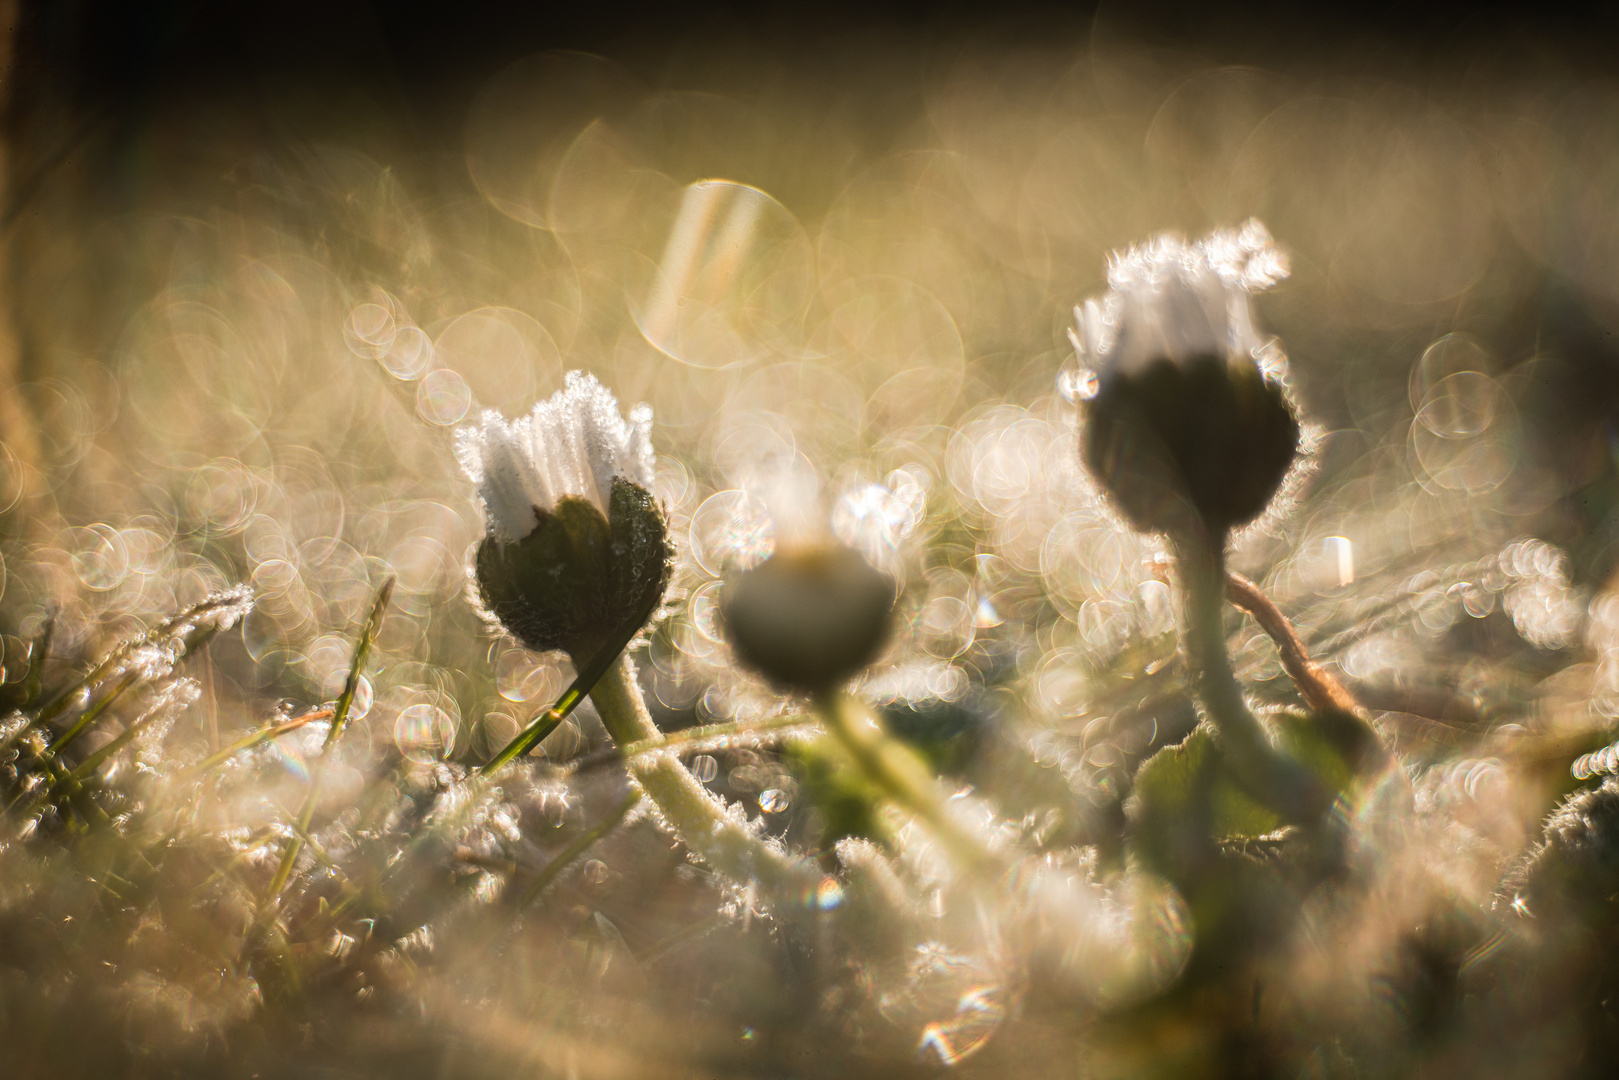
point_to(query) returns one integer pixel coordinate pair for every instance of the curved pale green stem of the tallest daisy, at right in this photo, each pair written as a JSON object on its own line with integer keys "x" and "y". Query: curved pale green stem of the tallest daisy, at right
{"x": 1270, "y": 776}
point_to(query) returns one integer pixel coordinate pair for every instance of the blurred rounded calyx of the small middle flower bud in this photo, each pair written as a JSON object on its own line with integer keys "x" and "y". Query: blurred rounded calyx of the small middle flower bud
{"x": 810, "y": 619}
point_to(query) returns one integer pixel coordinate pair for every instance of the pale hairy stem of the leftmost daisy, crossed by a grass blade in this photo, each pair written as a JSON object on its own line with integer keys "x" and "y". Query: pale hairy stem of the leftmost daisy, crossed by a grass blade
{"x": 695, "y": 815}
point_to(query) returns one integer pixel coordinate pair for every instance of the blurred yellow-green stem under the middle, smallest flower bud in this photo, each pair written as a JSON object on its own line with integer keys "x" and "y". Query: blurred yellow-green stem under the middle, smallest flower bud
{"x": 896, "y": 772}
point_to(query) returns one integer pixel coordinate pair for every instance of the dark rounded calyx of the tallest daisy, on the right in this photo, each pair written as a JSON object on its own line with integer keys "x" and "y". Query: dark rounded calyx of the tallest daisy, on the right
{"x": 1200, "y": 444}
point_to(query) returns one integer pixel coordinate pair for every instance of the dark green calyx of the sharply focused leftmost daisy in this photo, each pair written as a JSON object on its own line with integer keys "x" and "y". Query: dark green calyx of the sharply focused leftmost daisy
{"x": 580, "y": 582}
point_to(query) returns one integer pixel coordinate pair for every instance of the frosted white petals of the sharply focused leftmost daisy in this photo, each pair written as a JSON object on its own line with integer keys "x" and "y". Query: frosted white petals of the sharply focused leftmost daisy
{"x": 572, "y": 444}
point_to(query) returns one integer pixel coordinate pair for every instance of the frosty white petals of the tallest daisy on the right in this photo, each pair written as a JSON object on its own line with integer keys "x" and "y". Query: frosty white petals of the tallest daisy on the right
{"x": 1170, "y": 299}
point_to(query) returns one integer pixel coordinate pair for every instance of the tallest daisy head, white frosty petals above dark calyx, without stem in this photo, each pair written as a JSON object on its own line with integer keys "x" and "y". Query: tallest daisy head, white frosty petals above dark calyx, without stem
{"x": 1186, "y": 432}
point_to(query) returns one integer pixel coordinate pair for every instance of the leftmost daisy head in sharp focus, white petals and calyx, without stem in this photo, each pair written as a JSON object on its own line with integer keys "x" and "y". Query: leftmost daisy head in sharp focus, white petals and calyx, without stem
{"x": 577, "y": 550}
